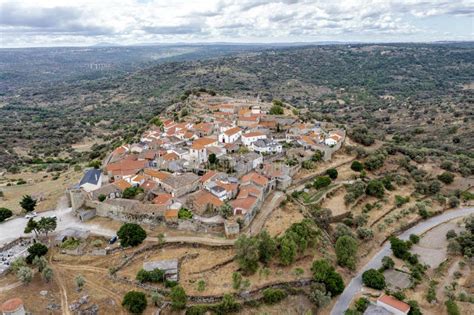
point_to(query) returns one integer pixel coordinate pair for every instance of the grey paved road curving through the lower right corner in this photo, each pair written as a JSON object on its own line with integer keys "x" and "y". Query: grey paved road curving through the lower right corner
{"x": 355, "y": 285}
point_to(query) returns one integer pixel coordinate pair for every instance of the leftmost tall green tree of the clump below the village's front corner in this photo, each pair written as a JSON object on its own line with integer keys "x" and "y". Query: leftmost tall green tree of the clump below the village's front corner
{"x": 247, "y": 253}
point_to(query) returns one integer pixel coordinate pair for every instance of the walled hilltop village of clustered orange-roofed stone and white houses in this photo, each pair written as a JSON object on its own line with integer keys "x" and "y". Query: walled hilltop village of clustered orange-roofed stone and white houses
{"x": 208, "y": 168}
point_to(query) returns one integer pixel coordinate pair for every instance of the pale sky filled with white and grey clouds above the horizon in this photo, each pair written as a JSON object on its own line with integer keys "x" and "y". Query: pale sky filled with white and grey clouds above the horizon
{"x": 36, "y": 23}
